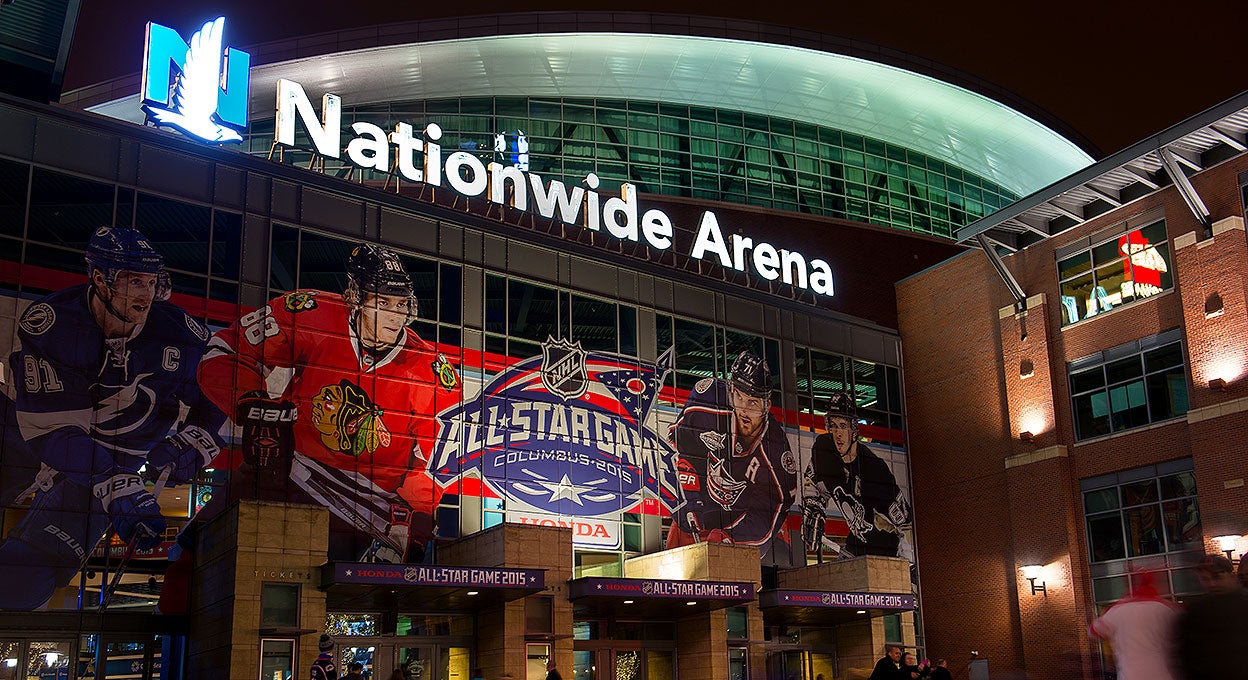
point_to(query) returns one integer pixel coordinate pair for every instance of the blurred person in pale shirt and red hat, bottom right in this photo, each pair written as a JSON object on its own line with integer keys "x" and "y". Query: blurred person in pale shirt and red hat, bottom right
{"x": 1140, "y": 629}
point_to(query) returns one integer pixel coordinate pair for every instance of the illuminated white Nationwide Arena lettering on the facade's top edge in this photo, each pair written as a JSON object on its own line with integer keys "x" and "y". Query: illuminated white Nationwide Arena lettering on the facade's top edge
{"x": 421, "y": 159}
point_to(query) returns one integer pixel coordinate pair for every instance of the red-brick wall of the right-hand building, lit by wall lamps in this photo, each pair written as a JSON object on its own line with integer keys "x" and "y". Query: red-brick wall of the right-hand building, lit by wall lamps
{"x": 984, "y": 502}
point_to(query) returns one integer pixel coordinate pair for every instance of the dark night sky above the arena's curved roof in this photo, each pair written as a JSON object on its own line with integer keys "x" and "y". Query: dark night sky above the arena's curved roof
{"x": 1115, "y": 72}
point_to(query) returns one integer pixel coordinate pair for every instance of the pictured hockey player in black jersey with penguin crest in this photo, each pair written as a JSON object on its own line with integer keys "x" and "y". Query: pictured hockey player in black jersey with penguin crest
{"x": 849, "y": 477}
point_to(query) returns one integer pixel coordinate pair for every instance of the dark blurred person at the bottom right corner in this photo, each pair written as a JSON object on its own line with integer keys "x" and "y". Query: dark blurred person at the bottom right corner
{"x": 1214, "y": 627}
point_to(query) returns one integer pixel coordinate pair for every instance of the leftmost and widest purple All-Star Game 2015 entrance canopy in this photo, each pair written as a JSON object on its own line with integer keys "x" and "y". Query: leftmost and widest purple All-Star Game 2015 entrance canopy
{"x": 427, "y": 588}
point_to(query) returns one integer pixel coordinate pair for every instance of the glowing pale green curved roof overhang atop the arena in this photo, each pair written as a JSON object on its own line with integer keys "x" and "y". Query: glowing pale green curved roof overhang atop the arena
{"x": 915, "y": 112}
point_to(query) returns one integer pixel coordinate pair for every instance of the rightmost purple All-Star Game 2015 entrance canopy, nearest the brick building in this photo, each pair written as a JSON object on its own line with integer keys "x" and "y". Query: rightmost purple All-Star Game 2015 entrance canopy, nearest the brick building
{"x": 829, "y": 607}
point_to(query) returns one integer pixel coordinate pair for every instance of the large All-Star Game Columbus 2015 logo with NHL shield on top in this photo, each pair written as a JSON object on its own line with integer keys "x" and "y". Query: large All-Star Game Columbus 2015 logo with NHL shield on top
{"x": 565, "y": 436}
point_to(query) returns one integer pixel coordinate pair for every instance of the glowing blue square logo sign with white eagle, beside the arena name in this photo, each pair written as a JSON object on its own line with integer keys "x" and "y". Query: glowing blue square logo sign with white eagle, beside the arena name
{"x": 197, "y": 88}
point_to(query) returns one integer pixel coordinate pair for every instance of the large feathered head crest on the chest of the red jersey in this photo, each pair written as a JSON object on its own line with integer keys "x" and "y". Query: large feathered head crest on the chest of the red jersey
{"x": 349, "y": 421}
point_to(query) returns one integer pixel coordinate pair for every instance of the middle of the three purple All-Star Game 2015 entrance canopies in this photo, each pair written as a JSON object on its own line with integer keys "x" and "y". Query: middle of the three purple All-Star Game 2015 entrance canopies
{"x": 653, "y": 598}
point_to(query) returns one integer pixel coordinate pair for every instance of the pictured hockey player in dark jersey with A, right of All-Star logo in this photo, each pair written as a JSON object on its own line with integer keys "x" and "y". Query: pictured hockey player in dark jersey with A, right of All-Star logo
{"x": 737, "y": 469}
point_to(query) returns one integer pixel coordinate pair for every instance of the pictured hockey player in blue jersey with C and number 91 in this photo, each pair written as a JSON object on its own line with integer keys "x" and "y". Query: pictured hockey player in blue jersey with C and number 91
{"x": 108, "y": 386}
